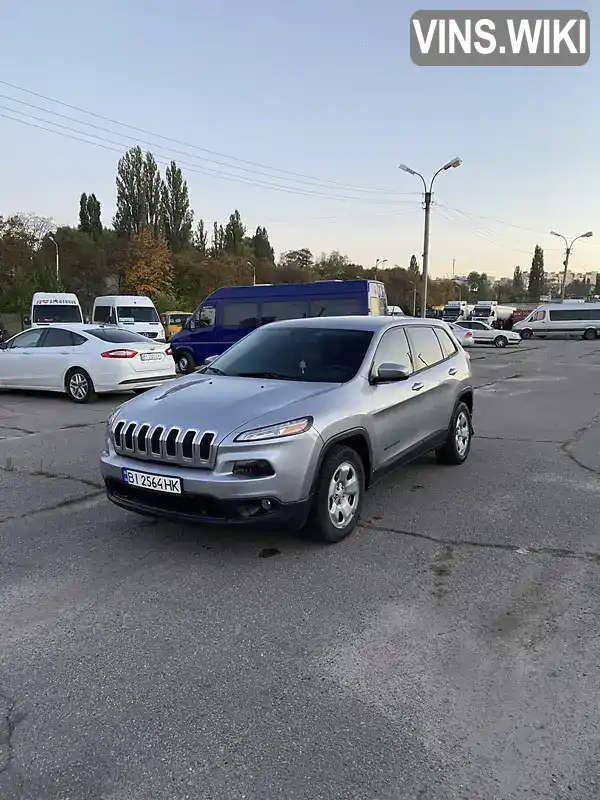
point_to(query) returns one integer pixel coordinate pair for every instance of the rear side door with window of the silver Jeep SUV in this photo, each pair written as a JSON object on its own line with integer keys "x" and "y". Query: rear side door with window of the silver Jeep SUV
{"x": 430, "y": 380}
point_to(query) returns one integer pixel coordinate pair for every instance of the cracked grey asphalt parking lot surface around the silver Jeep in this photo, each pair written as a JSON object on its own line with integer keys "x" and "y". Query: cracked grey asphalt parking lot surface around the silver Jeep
{"x": 446, "y": 651}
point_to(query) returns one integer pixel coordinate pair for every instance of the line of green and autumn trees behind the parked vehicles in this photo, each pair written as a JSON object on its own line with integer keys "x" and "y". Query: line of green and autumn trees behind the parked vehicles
{"x": 155, "y": 247}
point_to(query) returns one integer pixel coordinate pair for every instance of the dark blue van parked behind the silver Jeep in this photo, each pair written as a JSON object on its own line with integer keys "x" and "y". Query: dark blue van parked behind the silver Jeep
{"x": 230, "y": 313}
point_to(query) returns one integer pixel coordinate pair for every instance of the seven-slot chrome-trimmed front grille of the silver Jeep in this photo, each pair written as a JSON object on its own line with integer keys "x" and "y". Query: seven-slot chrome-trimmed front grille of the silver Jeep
{"x": 171, "y": 445}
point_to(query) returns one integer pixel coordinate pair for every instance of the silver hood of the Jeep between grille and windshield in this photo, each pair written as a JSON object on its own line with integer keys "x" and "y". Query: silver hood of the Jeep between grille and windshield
{"x": 223, "y": 404}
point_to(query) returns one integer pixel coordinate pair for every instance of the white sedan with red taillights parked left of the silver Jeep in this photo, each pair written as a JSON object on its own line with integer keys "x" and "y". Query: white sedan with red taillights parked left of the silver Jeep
{"x": 83, "y": 360}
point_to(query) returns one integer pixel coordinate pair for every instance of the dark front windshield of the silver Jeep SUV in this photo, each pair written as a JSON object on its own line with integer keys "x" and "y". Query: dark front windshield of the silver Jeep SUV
{"x": 316, "y": 355}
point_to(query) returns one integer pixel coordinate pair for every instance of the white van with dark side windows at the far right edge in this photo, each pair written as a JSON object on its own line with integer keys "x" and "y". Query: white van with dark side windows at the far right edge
{"x": 562, "y": 319}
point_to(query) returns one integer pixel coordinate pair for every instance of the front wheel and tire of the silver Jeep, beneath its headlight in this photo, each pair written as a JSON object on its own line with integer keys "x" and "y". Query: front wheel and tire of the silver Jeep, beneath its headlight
{"x": 339, "y": 496}
